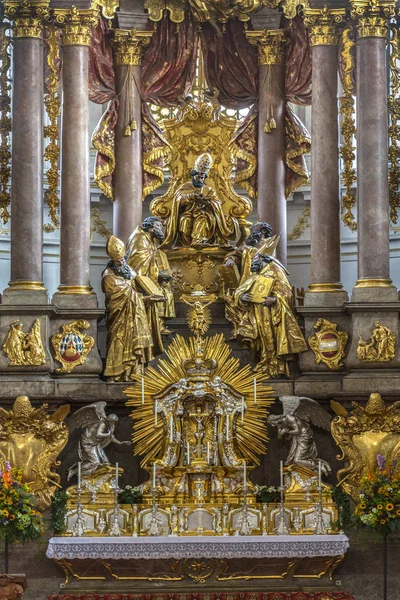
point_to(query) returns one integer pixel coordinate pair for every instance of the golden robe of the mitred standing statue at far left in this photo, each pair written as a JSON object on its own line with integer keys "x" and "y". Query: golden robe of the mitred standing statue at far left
{"x": 129, "y": 340}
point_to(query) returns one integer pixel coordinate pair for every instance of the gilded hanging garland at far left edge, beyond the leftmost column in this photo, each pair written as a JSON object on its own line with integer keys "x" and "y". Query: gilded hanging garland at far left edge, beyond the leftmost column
{"x": 5, "y": 121}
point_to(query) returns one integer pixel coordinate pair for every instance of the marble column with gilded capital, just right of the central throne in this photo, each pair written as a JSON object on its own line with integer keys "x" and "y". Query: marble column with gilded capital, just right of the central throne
{"x": 271, "y": 198}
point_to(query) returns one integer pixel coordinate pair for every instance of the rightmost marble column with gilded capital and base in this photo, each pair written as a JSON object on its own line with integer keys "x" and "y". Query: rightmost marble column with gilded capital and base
{"x": 372, "y": 151}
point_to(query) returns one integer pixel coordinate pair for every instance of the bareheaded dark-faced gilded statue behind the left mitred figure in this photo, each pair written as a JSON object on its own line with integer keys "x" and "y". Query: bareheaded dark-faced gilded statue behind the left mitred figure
{"x": 144, "y": 257}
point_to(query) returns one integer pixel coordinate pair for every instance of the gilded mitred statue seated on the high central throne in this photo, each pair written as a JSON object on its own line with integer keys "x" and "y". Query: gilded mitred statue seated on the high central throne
{"x": 197, "y": 216}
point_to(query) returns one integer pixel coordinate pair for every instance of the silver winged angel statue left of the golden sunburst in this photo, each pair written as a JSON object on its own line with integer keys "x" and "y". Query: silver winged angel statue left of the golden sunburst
{"x": 98, "y": 434}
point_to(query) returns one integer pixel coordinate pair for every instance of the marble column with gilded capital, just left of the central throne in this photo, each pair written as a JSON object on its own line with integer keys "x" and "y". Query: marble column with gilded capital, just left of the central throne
{"x": 127, "y": 207}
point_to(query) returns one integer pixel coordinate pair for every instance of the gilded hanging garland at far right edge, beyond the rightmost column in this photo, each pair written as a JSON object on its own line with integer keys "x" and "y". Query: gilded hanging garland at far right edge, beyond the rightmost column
{"x": 394, "y": 130}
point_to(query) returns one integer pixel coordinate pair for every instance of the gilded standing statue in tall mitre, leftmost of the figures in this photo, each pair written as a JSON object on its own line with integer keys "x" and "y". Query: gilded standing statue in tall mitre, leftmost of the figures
{"x": 129, "y": 342}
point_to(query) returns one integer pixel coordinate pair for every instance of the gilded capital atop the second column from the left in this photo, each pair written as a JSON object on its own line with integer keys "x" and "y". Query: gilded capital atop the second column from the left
{"x": 77, "y": 25}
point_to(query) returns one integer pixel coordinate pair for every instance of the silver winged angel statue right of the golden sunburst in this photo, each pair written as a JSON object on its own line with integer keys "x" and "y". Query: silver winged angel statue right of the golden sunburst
{"x": 299, "y": 413}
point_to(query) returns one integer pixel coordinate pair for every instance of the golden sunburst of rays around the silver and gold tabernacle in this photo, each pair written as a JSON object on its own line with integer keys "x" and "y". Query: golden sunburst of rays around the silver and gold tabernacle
{"x": 251, "y": 434}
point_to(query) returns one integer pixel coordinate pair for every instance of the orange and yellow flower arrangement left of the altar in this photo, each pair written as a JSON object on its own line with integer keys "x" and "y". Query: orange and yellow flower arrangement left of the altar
{"x": 19, "y": 519}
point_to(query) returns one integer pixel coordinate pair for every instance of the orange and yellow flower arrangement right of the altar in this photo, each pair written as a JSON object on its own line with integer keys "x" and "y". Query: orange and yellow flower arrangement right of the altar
{"x": 378, "y": 506}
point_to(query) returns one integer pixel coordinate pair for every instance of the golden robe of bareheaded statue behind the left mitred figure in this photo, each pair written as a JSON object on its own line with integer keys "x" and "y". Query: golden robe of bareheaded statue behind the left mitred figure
{"x": 144, "y": 257}
